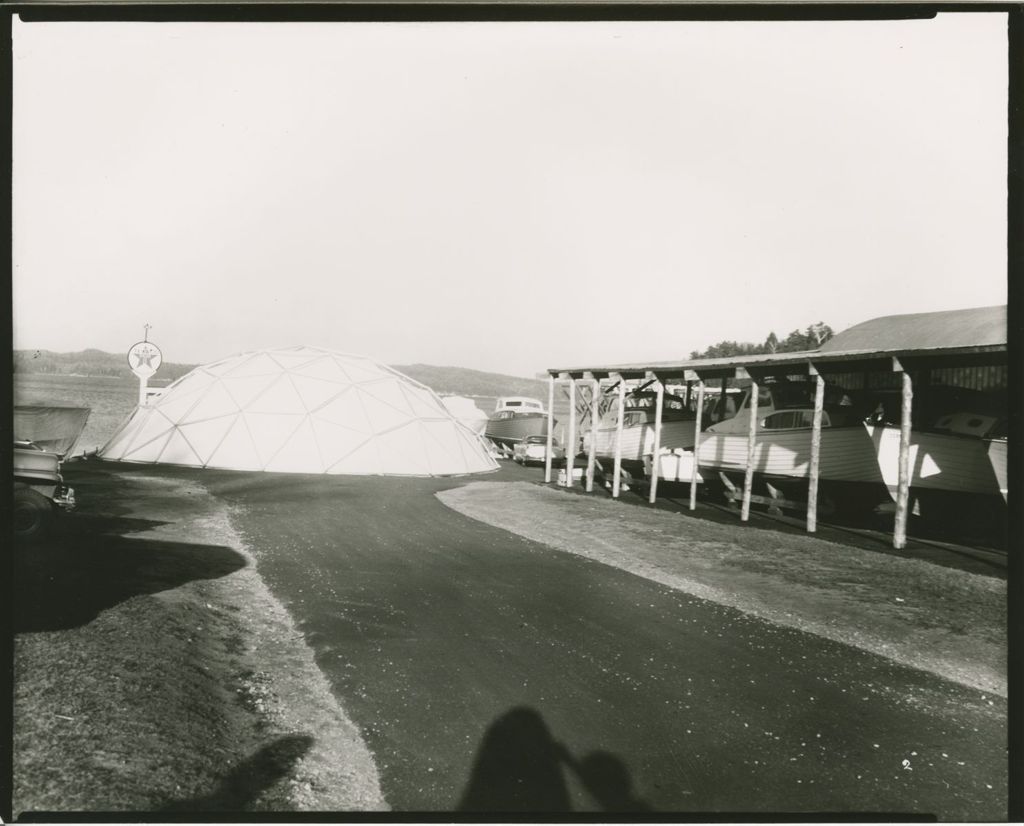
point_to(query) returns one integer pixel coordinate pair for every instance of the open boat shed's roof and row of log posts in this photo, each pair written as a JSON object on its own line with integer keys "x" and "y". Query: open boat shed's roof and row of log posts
{"x": 966, "y": 349}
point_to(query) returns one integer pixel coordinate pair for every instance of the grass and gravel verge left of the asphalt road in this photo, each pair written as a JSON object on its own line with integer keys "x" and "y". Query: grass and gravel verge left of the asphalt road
{"x": 155, "y": 673}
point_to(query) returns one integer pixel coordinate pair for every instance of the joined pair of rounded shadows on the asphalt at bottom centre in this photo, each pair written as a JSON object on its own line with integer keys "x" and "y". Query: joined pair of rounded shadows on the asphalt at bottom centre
{"x": 521, "y": 768}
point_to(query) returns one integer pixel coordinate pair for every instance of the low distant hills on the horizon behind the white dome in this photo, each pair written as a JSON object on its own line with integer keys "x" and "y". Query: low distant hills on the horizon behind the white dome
{"x": 443, "y": 380}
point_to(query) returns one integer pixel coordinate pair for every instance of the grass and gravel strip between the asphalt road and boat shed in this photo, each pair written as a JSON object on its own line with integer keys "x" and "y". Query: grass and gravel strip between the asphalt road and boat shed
{"x": 943, "y": 621}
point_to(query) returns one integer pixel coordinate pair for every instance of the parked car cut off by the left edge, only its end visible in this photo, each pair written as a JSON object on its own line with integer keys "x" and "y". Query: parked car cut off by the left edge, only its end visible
{"x": 39, "y": 491}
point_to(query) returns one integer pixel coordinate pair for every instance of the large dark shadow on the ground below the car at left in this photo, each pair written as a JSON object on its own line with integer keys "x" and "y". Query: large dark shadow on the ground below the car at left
{"x": 68, "y": 581}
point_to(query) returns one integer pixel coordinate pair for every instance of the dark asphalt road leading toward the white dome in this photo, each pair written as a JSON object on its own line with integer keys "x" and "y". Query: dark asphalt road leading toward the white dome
{"x": 489, "y": 673}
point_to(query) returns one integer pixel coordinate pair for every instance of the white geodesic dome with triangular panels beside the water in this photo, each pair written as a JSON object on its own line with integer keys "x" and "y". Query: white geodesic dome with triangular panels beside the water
{"x": 301, "y": 410}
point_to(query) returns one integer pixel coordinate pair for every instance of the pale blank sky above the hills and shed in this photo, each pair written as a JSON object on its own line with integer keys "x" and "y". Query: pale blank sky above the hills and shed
{"x": 504, "y": 197}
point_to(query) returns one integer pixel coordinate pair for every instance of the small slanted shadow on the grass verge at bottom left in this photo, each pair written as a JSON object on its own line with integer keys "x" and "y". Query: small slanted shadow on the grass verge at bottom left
{"x": 247, "y": 781}
